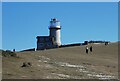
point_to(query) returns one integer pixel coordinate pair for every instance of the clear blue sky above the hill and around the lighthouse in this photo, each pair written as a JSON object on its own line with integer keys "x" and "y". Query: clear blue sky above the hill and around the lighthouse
{"x": 22, "y": 22}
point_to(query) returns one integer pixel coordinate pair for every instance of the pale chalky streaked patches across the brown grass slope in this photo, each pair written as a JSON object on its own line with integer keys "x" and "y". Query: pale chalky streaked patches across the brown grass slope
{"x": 90, "y": 74}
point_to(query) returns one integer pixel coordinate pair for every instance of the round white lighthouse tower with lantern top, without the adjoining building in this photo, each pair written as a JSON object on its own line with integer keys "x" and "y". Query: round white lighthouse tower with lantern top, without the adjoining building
{"x": 55, "y": 31}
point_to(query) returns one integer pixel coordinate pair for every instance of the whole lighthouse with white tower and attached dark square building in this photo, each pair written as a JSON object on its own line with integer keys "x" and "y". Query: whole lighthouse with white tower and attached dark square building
{"x": 53, "y": 40}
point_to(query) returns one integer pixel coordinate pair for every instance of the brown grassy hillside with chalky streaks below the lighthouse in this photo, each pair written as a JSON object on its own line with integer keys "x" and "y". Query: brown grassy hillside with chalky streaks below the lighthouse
{"x": 64, "y": 63}
